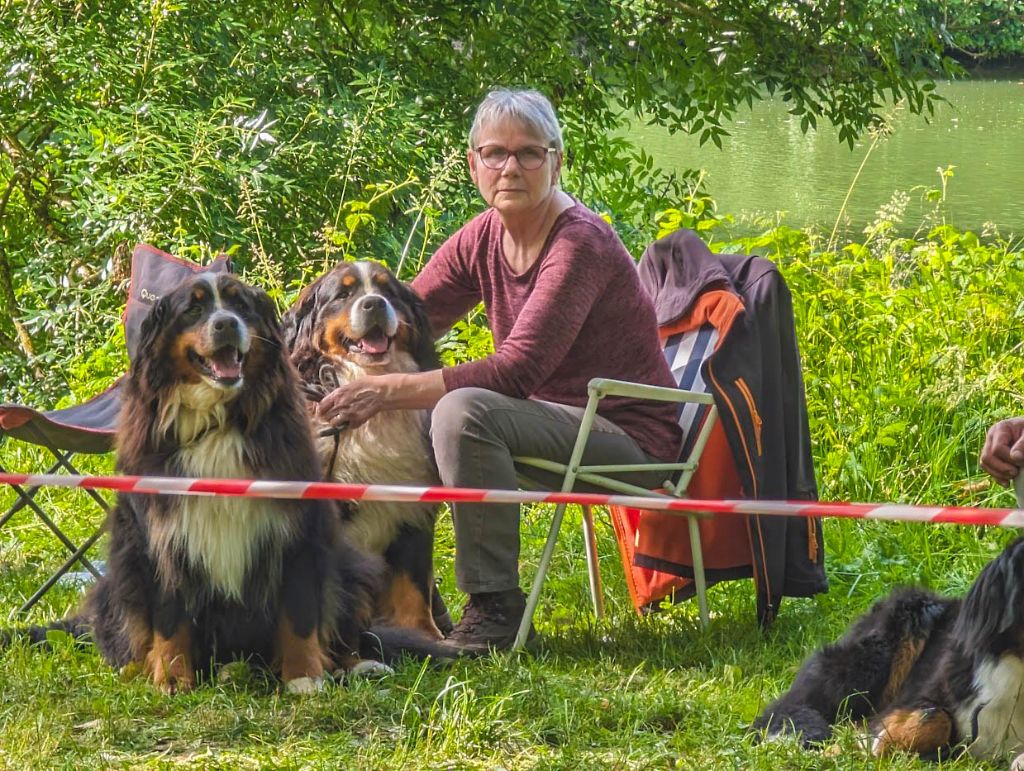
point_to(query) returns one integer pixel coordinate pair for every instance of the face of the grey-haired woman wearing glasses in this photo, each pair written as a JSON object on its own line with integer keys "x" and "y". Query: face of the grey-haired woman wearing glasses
{"x": 514, "y": 190}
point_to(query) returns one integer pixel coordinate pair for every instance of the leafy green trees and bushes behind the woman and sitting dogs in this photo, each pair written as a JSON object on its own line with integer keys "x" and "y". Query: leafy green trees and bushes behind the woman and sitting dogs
{"x": 293, "y": 135}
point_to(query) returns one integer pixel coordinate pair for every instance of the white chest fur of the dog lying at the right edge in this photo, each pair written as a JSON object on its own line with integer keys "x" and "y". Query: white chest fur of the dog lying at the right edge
{"x": 1001, "y": 720}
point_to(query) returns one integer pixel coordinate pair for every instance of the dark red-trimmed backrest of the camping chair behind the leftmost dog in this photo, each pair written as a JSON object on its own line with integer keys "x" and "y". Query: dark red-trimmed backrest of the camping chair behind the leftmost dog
{"x": 154, "y": 274}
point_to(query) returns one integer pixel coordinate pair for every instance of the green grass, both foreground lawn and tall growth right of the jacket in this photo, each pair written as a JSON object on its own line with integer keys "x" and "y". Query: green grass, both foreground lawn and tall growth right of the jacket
{"x": 911, "y": 350}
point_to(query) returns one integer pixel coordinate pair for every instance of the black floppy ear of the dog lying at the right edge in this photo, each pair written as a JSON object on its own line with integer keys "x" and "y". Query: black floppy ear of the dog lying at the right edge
{"x": 993, "y": 607}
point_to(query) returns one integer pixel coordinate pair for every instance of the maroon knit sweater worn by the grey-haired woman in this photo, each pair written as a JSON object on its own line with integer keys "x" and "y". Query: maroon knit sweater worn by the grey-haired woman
{"x": 579, "y": 313}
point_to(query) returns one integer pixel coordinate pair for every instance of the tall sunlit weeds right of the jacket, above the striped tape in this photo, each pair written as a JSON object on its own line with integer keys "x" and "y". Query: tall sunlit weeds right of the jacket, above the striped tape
{"x": 911, "y": 347}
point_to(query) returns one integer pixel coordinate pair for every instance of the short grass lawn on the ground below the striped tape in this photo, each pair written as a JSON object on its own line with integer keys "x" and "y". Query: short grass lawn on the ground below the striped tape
{"x": 658, "y": 693}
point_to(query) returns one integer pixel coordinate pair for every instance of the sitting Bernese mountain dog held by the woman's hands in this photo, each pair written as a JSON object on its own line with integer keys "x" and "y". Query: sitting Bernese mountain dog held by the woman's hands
{"x": 359, "y": 320}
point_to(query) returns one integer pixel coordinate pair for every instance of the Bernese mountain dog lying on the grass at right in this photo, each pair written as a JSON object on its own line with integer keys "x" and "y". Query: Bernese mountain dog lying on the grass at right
{"x": 931, "y": 675}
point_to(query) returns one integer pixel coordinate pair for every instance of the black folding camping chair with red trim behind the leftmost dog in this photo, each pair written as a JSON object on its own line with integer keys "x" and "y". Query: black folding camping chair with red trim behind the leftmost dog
{"x": 90, "y": 427}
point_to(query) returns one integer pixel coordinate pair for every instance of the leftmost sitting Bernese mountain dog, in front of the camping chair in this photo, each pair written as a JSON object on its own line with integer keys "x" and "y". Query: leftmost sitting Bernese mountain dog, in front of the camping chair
{"x": 196, "y": 581}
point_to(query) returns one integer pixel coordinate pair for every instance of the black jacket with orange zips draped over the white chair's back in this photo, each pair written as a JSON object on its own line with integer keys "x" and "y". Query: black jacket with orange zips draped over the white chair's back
{"x": 766, "y": 423}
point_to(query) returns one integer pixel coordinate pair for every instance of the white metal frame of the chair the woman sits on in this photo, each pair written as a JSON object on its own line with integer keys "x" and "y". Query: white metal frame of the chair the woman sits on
{"x": 598, "y": 390}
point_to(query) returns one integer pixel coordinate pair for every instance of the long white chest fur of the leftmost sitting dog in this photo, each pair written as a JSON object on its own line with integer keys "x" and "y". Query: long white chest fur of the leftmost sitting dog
{"x": 220, "y": 536}
